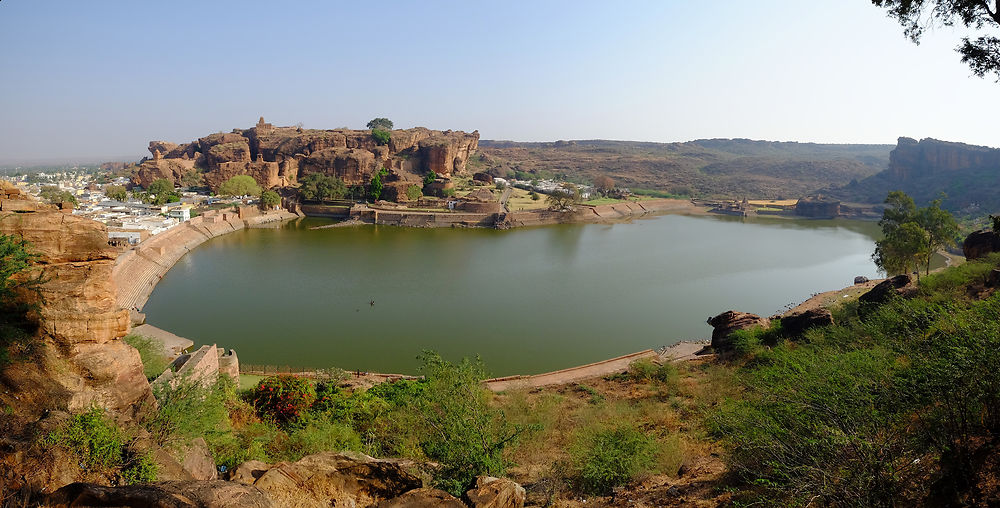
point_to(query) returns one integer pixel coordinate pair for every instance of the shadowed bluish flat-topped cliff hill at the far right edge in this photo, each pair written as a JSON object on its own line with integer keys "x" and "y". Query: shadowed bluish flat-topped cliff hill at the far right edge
{"x": 967, "y": 174}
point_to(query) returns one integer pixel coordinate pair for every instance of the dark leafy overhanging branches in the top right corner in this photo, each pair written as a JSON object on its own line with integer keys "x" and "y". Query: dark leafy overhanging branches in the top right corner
{"x": 981, "y": 54}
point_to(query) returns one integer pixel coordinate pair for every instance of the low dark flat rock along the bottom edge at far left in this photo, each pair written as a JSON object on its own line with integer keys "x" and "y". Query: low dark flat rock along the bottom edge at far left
{"x": 209, "y": 494}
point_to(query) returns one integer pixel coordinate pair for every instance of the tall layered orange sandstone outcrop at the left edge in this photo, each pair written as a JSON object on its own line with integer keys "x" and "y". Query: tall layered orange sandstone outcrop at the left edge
{"x": 83, "y": 362}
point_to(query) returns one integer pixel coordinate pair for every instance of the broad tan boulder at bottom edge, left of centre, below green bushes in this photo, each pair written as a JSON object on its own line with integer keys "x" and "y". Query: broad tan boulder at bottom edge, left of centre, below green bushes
{"x": 329, "y": 479}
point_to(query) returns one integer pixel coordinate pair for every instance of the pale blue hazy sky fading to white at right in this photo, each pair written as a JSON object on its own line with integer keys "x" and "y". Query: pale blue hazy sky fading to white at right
{"x": 100, "y": 78}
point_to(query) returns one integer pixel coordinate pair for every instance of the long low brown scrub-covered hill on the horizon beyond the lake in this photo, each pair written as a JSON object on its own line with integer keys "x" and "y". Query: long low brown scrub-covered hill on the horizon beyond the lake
{"x": 710, "y": 167}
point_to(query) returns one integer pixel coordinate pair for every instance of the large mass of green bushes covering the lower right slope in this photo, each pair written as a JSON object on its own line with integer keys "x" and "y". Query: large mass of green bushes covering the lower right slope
{"x": 893, "y": 407}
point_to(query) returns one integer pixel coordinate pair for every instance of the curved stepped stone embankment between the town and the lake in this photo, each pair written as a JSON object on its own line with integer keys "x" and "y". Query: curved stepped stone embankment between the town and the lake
{"x": 137, "y": 270}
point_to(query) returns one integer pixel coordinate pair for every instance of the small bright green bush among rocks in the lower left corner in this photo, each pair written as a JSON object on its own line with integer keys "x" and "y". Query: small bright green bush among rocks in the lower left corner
{"x": 103, "y": 448}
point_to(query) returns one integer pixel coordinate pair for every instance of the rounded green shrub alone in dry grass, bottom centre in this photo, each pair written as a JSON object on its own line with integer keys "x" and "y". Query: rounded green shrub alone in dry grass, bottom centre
{"x": 608, "y": 458}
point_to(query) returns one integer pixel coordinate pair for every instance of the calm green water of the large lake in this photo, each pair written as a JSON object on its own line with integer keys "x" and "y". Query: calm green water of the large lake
{"x": 525, "y": 300}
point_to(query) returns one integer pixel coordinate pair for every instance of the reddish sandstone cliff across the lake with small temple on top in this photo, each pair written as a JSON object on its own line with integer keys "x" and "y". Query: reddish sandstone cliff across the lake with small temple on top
{"x": 279, "y": 156}
